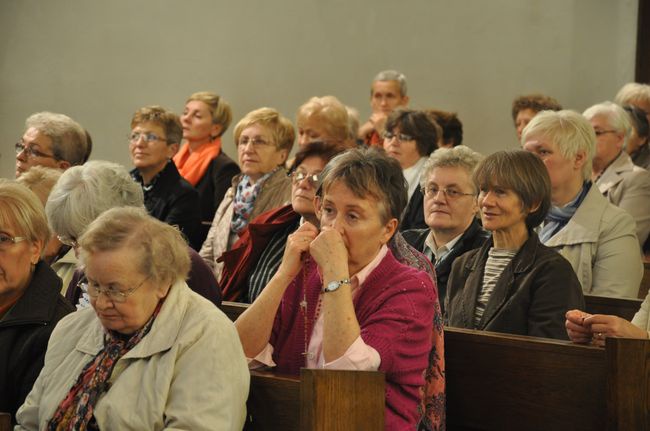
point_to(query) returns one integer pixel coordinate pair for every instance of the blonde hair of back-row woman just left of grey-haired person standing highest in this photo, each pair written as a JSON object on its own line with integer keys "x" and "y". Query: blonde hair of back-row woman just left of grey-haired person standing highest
{"x": 330, "y": 113}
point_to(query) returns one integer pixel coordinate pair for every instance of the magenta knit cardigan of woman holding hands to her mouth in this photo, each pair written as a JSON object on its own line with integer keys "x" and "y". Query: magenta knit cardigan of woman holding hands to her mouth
{"x": 394, "y": 307}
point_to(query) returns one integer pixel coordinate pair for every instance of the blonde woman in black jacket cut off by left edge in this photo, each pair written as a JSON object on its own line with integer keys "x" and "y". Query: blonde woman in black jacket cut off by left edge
{"x": 30, "y": 299}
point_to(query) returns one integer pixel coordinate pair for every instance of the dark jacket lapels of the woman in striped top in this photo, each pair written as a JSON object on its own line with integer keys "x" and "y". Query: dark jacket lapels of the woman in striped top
{"x": 521, "y": 263}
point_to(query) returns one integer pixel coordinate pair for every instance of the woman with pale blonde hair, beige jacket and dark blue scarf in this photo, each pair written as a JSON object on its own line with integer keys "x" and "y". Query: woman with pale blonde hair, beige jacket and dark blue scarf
{"x": 597, "y": 238}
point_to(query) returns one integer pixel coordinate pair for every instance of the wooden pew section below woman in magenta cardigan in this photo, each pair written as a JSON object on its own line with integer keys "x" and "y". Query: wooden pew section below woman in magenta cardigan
{"x": 318, "y": 400}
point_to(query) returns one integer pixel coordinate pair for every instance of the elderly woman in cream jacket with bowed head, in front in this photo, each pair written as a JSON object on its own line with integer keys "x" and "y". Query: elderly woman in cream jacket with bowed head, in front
{"x": 150, "y": 354}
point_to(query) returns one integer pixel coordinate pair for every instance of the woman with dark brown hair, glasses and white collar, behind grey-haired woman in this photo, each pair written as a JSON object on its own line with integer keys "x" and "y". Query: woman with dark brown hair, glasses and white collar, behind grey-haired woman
{"x": 409, "y": 138}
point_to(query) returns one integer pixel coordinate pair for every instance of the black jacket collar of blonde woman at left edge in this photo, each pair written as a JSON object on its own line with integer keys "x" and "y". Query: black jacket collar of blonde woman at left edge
{"x": 39, "y": 301}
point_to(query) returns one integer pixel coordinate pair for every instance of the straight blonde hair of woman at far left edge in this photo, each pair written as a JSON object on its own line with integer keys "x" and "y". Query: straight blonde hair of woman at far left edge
{"x": 21, "y": 209}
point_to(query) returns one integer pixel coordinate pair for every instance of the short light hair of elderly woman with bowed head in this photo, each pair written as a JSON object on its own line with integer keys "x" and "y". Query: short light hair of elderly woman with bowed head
{"x": 163, "y": 253}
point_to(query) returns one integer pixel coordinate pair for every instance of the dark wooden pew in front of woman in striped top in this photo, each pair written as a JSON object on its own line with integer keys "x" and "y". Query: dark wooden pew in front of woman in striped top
{"x": 498, "y": 381}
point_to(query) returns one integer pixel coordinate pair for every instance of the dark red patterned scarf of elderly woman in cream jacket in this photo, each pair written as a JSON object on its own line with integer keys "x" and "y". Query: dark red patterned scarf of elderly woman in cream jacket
{"x": 77, "y": 408}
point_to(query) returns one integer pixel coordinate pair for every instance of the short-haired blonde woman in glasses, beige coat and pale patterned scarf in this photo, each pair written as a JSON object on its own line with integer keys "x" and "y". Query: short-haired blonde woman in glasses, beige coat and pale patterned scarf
{"x": 264, "y": 139}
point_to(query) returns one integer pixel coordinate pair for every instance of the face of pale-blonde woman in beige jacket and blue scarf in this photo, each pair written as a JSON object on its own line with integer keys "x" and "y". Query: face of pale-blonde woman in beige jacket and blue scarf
{"x": 562, "y": 171}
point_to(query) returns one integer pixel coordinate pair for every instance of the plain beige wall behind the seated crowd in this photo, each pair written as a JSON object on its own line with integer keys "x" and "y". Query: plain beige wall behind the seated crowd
{"x": 98, "y": 61}
